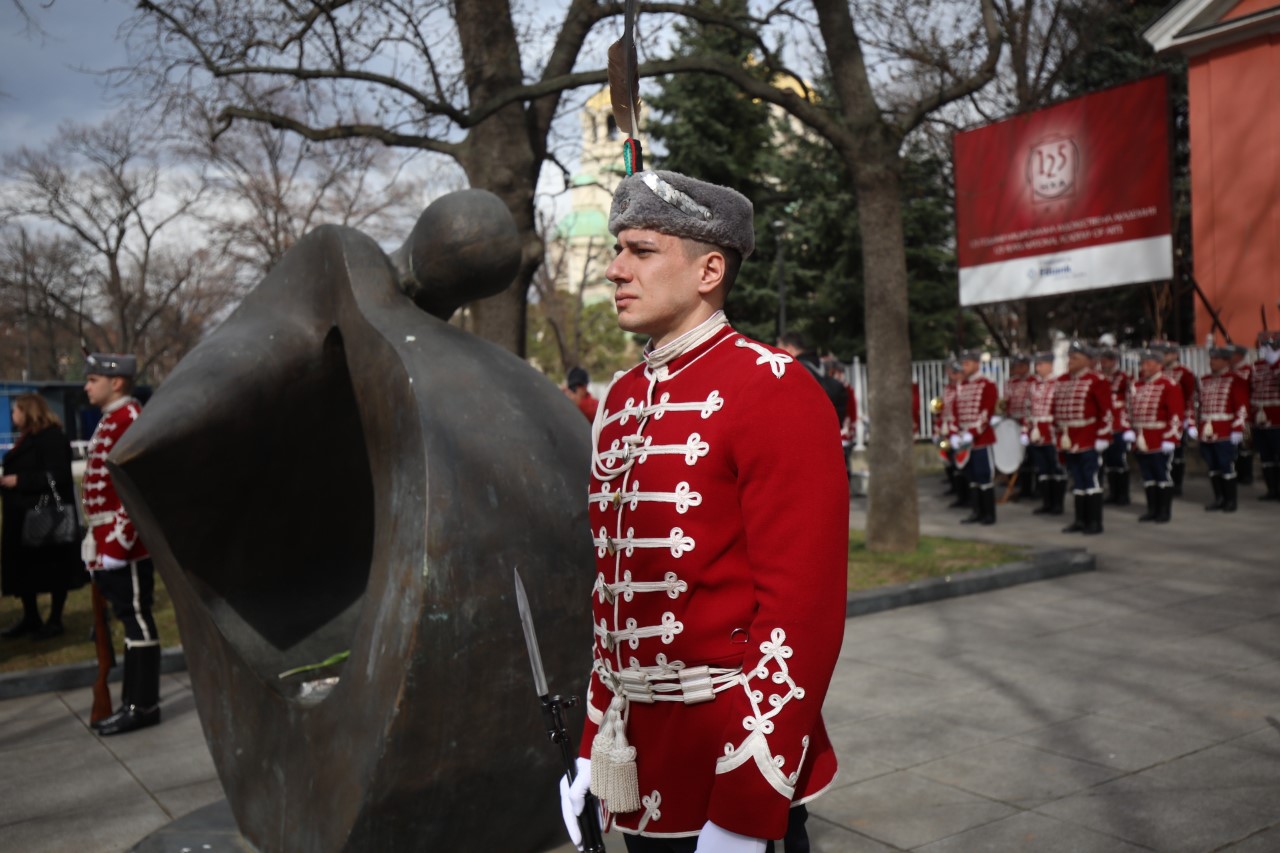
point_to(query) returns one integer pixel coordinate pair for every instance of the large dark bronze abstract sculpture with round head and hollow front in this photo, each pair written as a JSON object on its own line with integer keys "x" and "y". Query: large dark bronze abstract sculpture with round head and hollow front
{"x": 332, "y": 471}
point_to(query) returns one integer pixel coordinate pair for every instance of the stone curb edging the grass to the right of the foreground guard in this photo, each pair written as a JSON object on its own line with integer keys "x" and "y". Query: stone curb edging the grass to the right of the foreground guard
{"x": 1043, "y": 565}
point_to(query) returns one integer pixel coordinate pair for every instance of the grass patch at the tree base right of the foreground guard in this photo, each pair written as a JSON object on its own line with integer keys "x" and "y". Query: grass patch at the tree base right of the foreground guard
{"x": 935, "y": 558}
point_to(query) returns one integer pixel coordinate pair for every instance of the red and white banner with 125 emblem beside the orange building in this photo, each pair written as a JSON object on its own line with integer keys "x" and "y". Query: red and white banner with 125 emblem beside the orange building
{"x": 1075, "y": 197}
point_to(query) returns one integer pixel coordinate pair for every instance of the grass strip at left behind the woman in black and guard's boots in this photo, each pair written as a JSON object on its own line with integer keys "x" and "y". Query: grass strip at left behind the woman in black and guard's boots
{"x": 75, "y": 646}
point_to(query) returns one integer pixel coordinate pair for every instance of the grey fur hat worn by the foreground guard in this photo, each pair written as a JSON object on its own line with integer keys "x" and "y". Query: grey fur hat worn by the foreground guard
{"x": 683, "y": 207}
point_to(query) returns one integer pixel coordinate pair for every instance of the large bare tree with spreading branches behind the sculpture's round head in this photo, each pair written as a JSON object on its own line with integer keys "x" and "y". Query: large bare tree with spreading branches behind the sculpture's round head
{"x": 437, "y": 76}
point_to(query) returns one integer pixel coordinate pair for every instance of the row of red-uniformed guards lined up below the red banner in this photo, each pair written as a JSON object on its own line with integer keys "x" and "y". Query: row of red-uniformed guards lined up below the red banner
{"x": 1082, "y": 426}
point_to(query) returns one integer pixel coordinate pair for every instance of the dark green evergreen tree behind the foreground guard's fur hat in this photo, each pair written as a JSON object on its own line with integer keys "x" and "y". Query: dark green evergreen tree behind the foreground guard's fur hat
{"x": 804, "y": 202}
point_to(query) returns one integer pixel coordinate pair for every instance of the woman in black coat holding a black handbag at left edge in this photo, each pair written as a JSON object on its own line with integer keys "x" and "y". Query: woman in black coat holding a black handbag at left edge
{"x": 42, "y": 450}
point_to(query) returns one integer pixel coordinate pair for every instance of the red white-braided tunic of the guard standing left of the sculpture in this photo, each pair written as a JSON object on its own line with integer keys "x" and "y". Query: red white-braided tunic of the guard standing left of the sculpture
{"x": 109, "y": 524}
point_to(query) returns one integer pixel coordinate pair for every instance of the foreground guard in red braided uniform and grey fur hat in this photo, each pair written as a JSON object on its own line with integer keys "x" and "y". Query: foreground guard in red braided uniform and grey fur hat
{"x": 720, "y": 513}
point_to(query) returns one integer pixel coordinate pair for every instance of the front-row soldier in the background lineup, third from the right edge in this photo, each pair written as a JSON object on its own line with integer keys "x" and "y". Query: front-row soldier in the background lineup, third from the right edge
{"x": 1156, "y": 413}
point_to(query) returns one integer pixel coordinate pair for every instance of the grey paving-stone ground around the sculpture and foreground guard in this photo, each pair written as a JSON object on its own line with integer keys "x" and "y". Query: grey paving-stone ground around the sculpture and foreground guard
{"x": 1114, "y": 711}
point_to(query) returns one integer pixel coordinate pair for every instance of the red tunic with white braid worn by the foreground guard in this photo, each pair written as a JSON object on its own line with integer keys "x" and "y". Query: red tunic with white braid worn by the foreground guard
{"x": 720, "y": 512}
